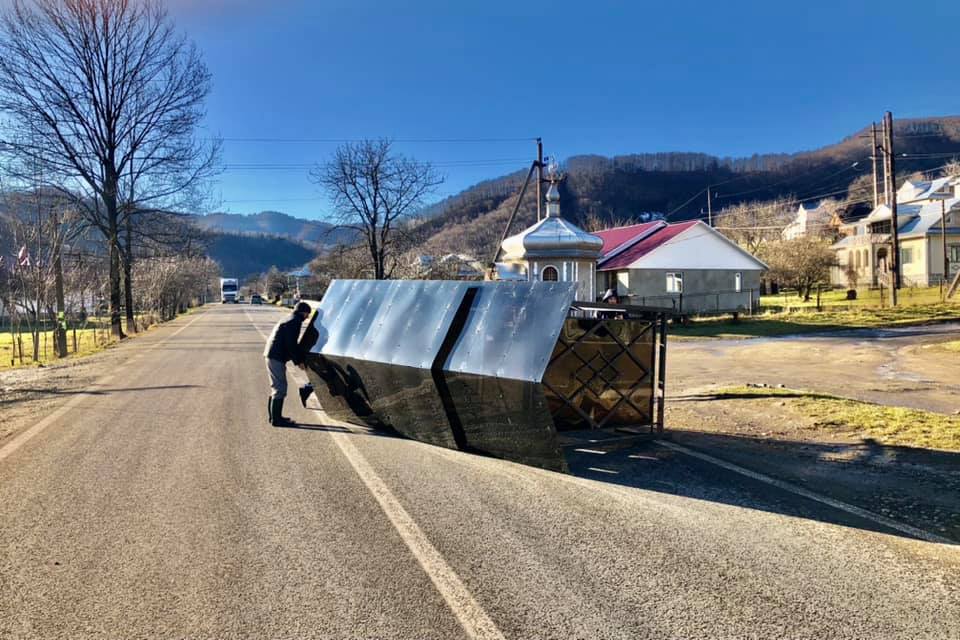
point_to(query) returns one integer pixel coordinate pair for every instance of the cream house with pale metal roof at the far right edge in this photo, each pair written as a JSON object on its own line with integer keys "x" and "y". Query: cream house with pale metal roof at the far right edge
{"x": 926, "y": 213}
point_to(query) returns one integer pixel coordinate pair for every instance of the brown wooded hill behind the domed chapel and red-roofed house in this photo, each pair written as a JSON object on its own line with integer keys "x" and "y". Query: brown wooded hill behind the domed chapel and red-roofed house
{"x": 598, "y": 189}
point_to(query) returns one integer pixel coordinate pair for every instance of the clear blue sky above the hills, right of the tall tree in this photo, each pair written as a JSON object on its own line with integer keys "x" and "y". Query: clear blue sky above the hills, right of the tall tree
{"x": 727, "y": 78}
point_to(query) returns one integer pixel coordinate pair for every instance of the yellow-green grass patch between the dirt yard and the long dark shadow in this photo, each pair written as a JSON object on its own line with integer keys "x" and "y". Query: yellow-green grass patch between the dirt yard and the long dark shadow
{"x": 898, "y": 426}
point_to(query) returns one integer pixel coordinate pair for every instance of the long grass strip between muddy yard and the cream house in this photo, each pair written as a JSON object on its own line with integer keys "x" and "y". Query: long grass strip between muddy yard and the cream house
{"x": 810, "y": 320}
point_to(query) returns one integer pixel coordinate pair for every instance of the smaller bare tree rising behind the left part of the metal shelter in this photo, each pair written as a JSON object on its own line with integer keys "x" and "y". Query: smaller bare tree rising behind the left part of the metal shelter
{"x": 373, "y": 191}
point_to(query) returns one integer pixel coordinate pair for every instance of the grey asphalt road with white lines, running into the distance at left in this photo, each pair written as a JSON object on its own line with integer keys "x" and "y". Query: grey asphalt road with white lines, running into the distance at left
{"x": 161, "y": 504}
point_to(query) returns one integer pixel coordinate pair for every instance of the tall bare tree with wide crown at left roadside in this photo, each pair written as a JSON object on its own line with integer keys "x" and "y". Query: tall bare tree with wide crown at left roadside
{"x": 107, "y": 96}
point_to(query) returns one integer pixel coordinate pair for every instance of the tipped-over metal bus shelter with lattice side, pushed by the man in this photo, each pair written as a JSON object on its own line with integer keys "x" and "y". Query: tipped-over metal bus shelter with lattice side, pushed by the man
{"x": 489, "y": 367}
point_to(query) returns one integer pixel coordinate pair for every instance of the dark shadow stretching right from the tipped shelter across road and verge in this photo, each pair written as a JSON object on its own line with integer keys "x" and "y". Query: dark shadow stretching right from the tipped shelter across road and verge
{"x": 917, "y": 487}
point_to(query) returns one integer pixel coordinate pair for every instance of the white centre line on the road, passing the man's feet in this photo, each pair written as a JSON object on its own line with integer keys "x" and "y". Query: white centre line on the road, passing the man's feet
{"x": 474, "y": 620}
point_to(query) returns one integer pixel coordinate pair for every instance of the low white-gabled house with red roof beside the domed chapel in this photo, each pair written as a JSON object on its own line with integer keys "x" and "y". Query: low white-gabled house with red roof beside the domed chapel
{"x": 687, "y": 266}
